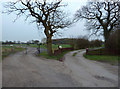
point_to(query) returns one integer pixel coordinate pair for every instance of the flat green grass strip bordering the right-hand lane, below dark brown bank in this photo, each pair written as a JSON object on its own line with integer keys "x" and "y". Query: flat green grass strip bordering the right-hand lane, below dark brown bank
{"x": 104, "y": 58}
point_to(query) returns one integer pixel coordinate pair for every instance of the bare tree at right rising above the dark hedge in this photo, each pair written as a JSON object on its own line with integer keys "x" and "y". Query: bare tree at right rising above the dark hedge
{"x": 100, "y": 16}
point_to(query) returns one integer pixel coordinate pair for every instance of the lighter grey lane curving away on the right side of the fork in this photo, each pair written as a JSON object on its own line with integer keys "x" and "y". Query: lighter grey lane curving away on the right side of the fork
{"x": 91, "y": 73}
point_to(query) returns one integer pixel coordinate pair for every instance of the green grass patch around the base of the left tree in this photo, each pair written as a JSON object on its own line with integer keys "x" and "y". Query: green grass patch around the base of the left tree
{"x": 56, "y": 57}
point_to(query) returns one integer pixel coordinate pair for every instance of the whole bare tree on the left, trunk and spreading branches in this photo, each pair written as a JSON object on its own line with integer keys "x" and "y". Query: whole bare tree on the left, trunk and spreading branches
{"x": 47, "y": 14}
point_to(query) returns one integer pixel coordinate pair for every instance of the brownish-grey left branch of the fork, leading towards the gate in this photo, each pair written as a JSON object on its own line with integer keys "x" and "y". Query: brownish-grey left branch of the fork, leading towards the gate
{"x": 27, "y": 70}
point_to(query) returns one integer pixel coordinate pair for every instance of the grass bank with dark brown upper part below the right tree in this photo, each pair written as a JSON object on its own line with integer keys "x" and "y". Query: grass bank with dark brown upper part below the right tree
{"x": 103, "y": 55}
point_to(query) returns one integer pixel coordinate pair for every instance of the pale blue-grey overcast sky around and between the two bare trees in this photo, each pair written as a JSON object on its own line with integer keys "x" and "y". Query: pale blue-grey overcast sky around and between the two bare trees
{"x": 24, "y": 31}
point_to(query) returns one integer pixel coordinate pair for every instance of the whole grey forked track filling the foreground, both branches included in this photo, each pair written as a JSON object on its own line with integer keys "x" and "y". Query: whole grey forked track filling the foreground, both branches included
{"x": 21, "y": 70}
